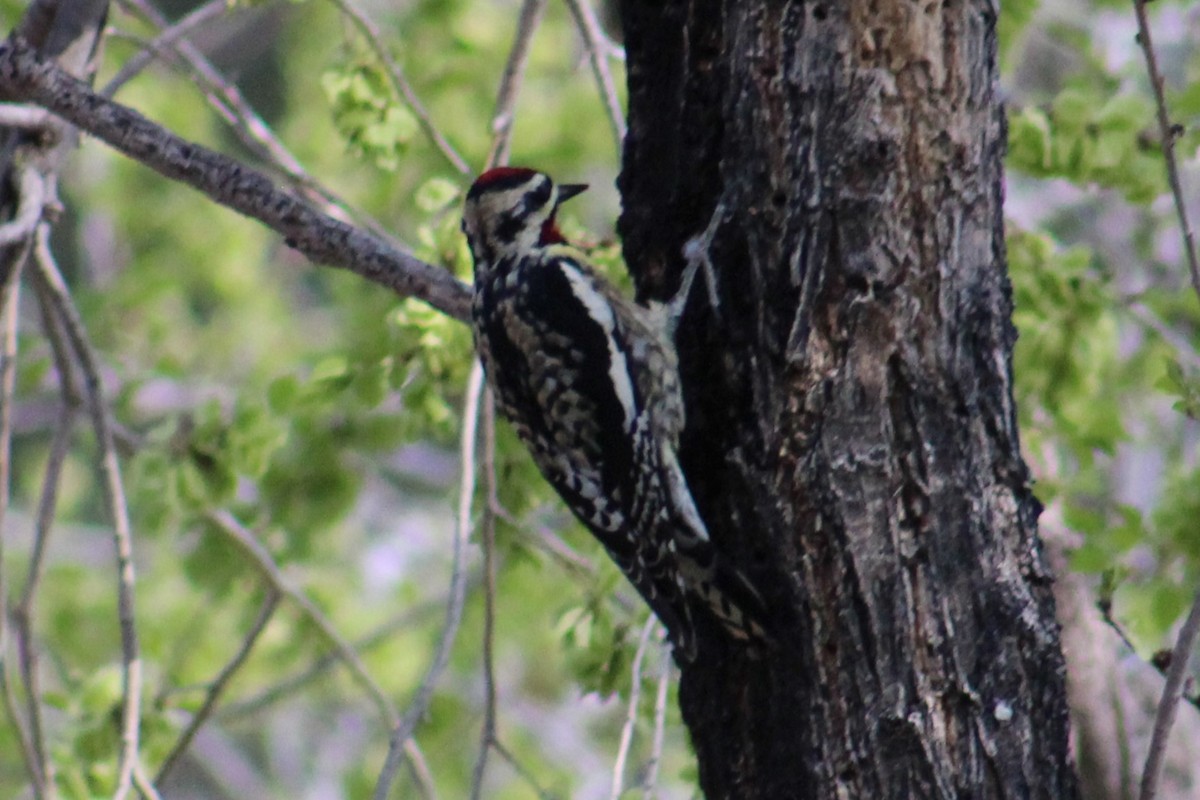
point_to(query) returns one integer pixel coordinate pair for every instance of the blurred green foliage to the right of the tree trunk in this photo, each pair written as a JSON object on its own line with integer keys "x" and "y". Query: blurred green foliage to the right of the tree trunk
{"x": 1109, "y": 326}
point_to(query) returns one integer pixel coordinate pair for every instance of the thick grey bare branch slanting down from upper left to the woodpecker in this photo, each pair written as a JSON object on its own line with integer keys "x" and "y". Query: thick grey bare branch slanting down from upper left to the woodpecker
{"x": 321, "y": 238}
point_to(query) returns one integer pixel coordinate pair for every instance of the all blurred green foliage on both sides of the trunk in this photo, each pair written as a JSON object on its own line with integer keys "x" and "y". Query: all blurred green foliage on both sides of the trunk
{"x": 325, "y": 414}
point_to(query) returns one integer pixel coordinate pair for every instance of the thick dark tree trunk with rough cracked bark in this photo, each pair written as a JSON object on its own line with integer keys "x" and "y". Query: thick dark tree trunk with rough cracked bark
{"x": 853, "y": 437}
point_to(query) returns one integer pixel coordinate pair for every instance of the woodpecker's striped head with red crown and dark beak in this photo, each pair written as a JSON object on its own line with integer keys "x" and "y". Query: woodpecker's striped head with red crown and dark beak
{"x": 512, "y": 210}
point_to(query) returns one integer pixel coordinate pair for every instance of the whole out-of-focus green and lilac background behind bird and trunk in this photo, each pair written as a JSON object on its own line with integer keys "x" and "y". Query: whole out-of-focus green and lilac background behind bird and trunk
{"x": 261, "y": 400}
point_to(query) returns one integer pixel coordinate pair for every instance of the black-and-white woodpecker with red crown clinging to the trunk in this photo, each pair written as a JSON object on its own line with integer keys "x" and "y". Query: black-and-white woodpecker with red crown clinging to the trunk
{"x": 591, "y": 383}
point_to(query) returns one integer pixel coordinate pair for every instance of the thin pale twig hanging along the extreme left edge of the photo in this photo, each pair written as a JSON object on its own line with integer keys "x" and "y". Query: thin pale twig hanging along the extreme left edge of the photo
{"x": 10, "y": 303}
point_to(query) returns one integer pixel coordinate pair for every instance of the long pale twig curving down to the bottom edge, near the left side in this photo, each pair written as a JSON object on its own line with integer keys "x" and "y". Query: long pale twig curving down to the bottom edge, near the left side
{"x": 113, "y": 491}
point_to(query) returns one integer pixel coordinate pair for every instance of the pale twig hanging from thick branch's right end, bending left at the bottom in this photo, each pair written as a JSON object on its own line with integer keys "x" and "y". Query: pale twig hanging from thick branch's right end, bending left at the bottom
{"x": 421, "y": 702}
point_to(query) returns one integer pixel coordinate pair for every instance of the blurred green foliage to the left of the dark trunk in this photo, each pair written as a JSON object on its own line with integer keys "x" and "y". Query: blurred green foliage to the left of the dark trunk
{"x": 319, "y": 411}
